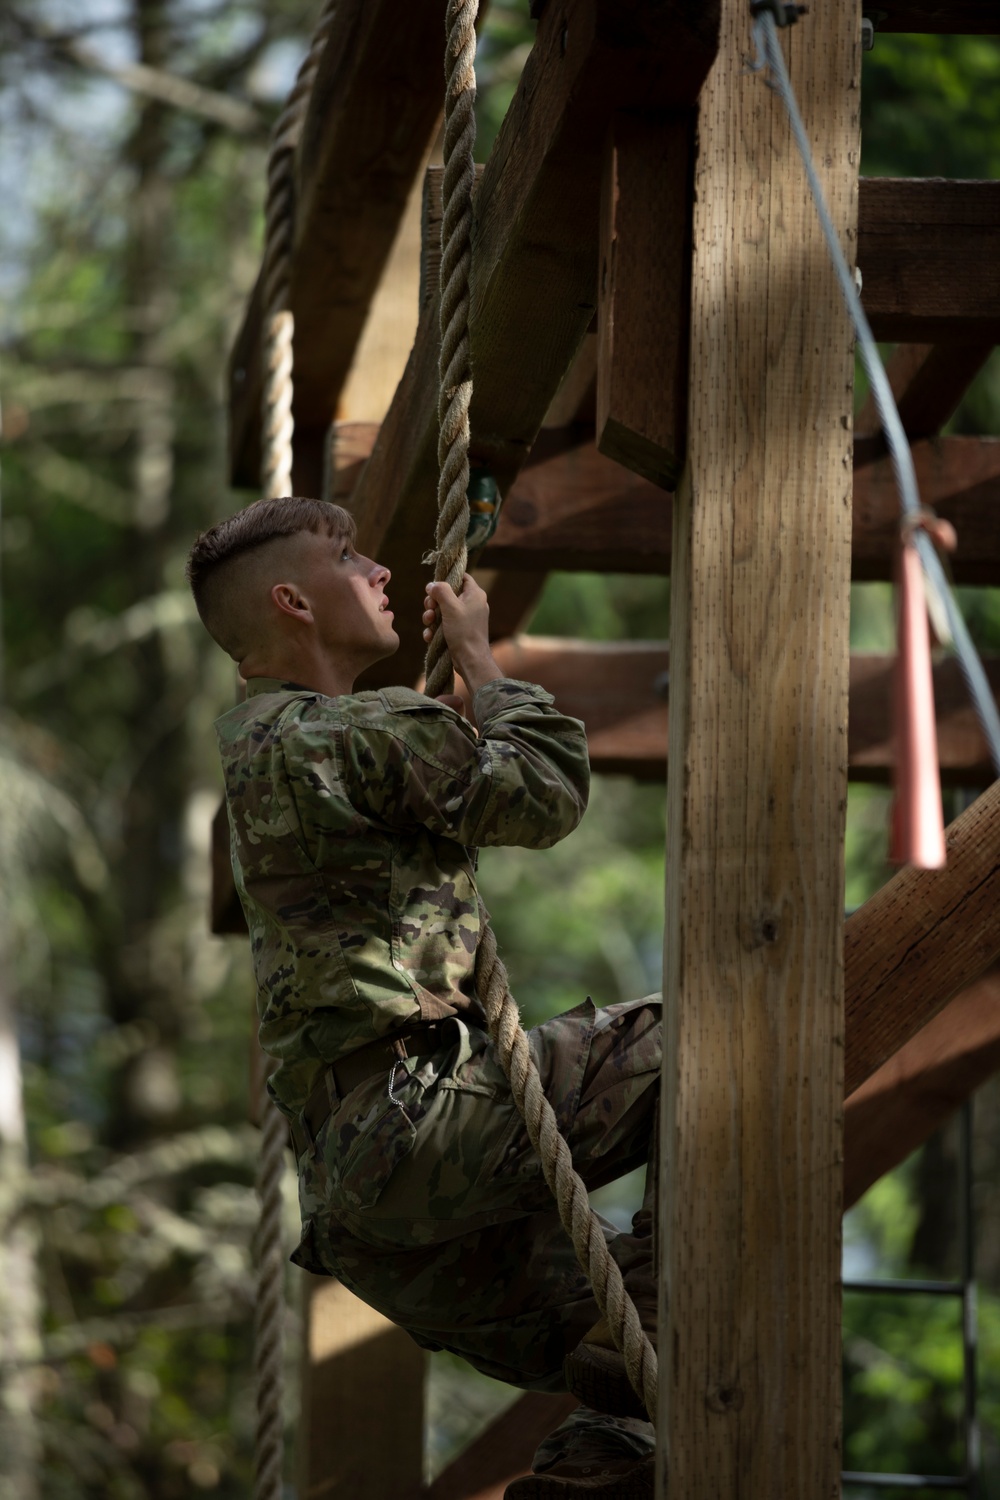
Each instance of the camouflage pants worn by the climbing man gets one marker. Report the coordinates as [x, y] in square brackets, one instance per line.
[425, 1198]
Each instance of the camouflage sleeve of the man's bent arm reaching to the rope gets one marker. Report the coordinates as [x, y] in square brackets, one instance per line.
[524, 781]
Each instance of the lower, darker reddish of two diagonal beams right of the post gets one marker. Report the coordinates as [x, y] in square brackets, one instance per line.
[920, 1088]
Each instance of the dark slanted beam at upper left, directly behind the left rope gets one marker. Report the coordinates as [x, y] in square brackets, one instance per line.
[374, 112]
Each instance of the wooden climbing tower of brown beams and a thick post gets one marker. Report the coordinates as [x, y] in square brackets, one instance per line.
[665, 385]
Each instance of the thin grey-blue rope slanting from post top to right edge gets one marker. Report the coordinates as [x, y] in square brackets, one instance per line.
[771, 58]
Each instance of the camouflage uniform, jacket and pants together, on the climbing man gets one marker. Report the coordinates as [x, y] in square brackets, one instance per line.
[353, 823]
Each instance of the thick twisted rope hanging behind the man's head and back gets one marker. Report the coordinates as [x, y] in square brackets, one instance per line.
[277, 479]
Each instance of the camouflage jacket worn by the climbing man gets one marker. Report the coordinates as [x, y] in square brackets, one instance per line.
[353, 823]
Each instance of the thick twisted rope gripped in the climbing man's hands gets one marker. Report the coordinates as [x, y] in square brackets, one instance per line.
[451, 565]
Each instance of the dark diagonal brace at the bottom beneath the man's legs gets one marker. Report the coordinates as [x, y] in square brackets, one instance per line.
[503, 1453]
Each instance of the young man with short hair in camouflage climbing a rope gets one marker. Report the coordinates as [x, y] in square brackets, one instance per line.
[355, 823]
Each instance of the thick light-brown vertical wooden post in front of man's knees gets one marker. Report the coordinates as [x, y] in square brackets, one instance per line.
[759, 658]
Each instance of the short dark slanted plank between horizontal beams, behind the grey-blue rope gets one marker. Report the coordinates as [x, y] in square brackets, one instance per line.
[929, 382]
